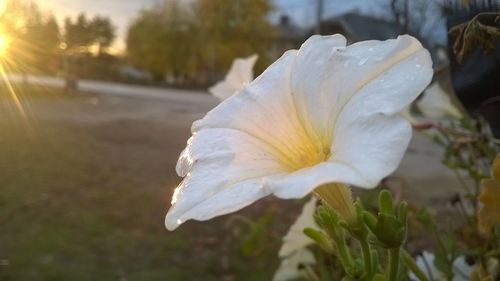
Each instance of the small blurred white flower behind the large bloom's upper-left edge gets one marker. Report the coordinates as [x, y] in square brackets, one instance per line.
[239, 75]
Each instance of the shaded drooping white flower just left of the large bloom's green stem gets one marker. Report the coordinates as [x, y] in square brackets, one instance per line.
[295, 240]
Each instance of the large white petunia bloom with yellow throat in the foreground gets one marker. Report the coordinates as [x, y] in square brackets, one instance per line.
[323, 114]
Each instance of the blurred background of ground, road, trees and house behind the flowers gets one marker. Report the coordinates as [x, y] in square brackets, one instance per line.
[97, 98]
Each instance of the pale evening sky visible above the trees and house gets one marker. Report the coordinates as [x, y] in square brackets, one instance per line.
[122, 12]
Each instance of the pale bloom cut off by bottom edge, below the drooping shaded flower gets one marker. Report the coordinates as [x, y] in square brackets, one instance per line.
[291, 268]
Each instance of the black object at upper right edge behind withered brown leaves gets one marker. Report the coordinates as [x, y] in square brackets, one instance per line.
[474, 49]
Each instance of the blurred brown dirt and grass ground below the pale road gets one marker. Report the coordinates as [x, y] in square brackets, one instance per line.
[87, 180]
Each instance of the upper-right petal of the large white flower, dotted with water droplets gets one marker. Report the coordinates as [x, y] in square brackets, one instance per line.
[379, 76]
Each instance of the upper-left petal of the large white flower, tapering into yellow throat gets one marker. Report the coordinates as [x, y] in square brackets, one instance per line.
[264, 109]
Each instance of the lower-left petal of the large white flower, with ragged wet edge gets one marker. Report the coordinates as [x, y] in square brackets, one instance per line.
[223, 170]
